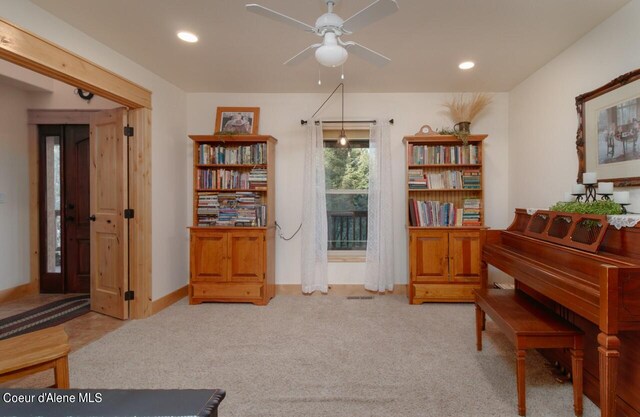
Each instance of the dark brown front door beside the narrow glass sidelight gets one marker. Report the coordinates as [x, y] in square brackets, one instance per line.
[76, 209]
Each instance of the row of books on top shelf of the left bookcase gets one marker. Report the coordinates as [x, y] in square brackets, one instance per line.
[222, 154]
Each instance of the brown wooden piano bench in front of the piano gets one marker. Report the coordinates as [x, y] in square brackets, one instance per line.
[530, 325]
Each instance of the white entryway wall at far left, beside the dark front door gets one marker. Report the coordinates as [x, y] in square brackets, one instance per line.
[14, 184]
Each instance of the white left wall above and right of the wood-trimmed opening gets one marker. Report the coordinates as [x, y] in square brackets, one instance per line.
[169, 212]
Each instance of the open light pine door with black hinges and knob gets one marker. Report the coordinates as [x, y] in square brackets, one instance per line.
[109, 261]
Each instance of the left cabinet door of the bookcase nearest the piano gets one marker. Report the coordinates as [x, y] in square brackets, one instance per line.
[429, 255]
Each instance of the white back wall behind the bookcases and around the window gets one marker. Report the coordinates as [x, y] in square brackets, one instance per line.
[280, 116]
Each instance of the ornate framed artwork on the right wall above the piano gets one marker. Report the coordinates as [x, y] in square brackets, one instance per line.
[608, 138]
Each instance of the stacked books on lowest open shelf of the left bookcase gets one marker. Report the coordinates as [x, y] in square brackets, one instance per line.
[242, 208]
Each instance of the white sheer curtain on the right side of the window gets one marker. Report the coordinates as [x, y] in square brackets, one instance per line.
[379, 274]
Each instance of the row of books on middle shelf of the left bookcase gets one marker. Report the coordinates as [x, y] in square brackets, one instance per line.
[225, 179]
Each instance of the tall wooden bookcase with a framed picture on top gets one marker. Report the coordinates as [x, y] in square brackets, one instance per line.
[232, 241]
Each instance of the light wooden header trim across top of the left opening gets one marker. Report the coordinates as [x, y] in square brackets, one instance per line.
[31, 51]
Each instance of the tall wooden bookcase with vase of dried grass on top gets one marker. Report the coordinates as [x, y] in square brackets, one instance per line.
[445, 217]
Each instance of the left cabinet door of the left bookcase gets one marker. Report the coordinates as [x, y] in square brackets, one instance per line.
[209, 256]
